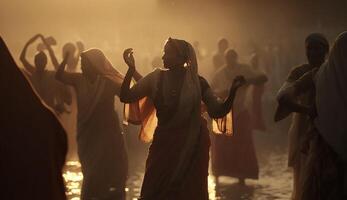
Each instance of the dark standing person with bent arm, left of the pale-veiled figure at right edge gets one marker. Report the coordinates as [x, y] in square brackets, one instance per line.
[317, 48]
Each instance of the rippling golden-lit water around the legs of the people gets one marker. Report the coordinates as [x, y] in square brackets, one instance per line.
[275, 183]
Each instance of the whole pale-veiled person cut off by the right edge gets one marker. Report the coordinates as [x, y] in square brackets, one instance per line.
[328, 156]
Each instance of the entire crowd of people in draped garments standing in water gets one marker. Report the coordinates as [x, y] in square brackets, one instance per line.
[184, 117]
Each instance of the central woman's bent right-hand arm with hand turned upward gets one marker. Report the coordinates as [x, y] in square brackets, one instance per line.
[216, 107]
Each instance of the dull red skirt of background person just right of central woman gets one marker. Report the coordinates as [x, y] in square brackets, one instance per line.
[235, 156]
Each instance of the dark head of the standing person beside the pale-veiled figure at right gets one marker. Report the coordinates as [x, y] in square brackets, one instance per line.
[317, 47]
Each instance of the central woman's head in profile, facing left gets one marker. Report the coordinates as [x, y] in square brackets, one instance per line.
[175, 53]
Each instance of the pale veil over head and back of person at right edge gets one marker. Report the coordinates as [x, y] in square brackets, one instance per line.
[331, 97]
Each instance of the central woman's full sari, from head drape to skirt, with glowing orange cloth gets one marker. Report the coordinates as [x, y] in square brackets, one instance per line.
[177, 163]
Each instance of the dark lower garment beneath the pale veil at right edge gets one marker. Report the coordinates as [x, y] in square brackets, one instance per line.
[323, 172]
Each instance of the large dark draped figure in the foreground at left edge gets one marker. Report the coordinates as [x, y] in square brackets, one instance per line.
[32, 141]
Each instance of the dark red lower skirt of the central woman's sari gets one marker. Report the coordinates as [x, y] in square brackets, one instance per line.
[162, 161]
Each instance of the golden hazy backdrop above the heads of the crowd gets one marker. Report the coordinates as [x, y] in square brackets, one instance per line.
[113, 25]
